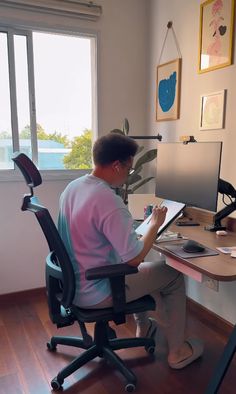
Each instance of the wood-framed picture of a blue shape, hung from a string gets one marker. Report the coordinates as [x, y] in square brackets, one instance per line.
[168, 90]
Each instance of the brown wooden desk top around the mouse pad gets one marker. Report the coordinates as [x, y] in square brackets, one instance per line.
[221, 267]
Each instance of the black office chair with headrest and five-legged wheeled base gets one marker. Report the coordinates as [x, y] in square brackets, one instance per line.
[60, 286]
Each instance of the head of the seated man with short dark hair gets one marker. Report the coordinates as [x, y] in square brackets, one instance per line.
[113, 157]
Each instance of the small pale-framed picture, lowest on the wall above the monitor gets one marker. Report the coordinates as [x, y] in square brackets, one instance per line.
[212, 110]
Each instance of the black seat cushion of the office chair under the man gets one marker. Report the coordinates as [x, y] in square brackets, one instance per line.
[107, 314]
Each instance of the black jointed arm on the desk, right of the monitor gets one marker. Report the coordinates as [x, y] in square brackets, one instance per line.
[227, 189]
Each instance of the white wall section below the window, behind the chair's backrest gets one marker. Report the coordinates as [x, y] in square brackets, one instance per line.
[22, 245]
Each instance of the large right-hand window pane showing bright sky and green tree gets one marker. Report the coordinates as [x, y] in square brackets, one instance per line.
[62, 68]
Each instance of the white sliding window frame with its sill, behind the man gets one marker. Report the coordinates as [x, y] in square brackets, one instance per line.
[13, 174]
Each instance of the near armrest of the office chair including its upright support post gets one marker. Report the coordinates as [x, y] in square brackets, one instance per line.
[116, 274]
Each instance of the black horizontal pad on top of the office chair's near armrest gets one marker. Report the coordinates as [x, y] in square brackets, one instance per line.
[110, 271]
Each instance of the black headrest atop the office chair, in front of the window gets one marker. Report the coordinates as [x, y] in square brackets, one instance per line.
[27, 167]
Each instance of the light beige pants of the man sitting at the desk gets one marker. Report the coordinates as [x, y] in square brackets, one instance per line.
[169, 285]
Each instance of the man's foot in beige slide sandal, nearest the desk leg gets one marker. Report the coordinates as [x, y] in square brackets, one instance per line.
[191, 350]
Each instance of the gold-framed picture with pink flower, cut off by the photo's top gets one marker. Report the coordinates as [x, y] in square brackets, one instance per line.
[216, 34]
